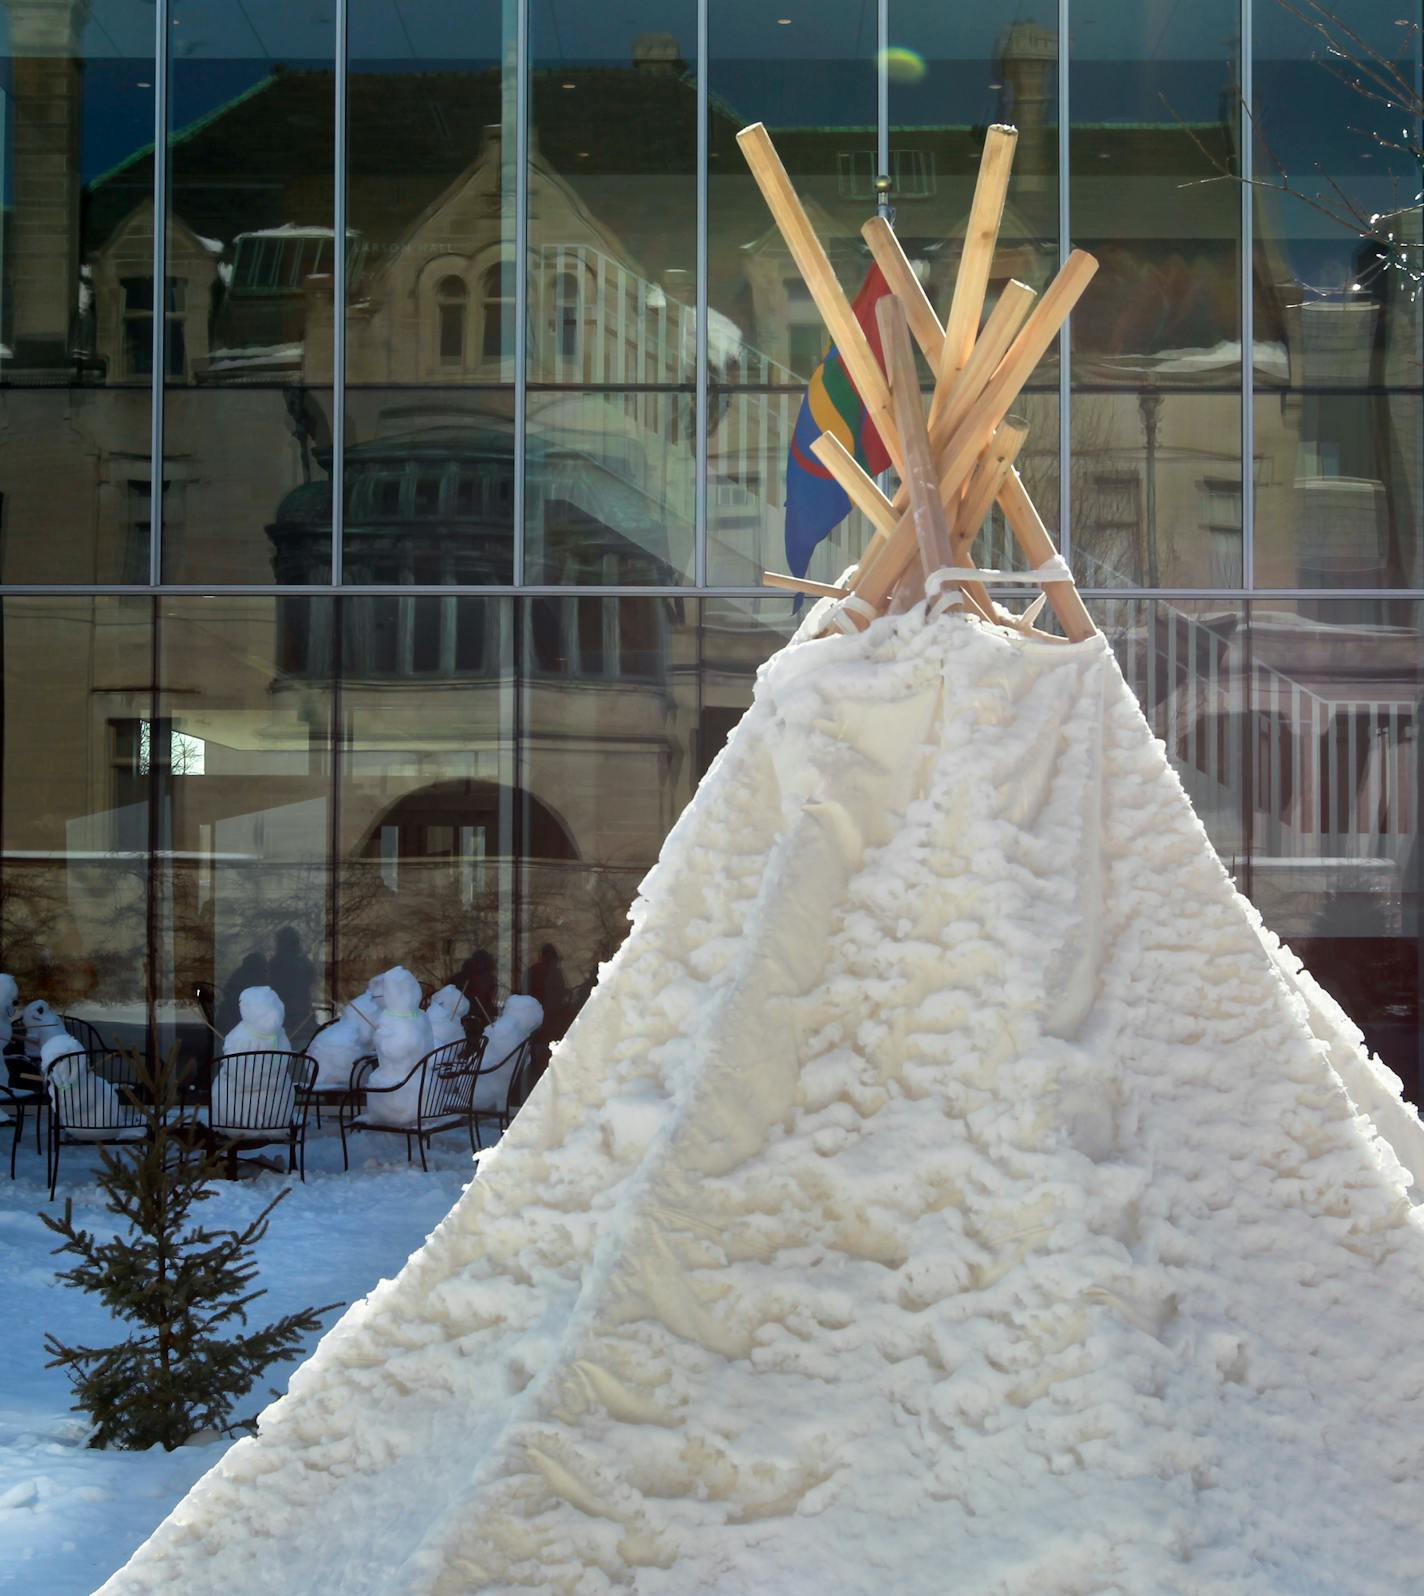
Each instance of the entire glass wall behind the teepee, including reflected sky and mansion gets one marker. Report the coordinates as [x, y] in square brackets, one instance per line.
[398, 593]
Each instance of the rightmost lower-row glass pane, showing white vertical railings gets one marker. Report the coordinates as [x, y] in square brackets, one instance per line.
[1335, 859]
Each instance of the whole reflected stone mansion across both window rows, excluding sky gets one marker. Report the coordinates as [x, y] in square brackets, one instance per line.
[569, 729]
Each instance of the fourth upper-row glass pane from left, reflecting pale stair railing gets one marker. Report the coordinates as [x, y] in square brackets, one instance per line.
[612, 290]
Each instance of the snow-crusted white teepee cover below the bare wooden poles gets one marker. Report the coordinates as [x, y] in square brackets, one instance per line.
[951, 1187]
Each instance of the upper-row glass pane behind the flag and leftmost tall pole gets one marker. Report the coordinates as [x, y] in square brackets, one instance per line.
[813, 84]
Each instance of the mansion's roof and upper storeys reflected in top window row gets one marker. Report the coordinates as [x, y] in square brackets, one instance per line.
[611, 472]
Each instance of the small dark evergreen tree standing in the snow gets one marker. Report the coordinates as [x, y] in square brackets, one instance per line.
[186, 1289]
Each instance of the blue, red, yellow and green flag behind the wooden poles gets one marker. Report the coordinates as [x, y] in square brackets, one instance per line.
[815, 502]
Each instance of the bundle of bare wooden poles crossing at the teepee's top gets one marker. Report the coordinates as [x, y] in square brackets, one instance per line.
[959, 460]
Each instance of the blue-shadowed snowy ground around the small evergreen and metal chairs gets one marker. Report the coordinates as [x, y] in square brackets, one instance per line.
[69, 1517]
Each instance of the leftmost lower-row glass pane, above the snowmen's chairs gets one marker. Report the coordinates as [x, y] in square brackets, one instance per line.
[74, 893]
